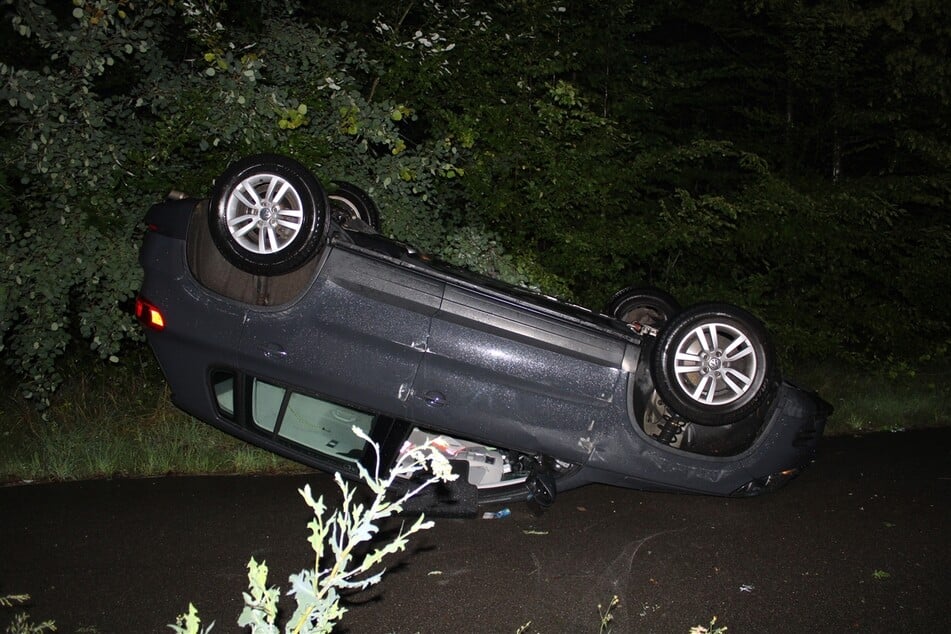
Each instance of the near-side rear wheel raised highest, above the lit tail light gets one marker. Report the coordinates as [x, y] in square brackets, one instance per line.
[267, 214]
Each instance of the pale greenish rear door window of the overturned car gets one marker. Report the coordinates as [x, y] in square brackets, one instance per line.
[323, 427]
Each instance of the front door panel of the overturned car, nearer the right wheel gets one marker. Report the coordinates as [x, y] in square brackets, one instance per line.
[505, 373]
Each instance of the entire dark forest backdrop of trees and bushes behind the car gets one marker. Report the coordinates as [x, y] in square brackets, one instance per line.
[790, 157]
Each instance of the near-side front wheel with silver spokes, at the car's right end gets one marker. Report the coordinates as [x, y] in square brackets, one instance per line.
[713, 364]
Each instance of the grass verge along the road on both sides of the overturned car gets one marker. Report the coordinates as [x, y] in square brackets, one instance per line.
[118, 420]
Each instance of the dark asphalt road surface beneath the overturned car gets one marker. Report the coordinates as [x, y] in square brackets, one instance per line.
[859, 543]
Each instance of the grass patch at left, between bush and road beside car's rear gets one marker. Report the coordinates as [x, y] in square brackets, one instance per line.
[117, 421]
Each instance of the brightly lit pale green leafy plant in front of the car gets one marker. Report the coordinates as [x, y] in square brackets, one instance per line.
[335, 540]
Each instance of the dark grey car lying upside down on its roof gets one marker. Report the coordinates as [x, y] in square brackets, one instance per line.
[280, 315]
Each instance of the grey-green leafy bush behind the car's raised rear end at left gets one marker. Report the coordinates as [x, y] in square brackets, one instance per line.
[107, 109]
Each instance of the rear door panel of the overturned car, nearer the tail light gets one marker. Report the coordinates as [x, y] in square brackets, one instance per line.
[355, 337]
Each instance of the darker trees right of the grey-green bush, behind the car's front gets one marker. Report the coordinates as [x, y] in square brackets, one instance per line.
[790, 158]
